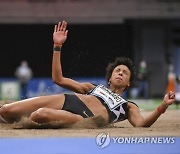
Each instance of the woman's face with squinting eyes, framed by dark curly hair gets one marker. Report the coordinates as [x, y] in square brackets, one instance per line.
[120, 76]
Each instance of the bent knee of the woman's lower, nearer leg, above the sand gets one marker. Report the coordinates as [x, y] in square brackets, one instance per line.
[40, 115]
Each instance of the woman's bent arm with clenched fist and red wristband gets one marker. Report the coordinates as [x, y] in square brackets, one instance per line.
[137, 120]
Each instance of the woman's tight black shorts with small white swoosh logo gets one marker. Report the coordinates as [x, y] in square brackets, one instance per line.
[74, 105]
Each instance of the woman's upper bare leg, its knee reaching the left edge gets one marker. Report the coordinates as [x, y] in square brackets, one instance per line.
[13, 111]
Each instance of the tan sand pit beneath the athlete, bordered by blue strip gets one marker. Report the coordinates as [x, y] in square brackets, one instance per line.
[167, 125]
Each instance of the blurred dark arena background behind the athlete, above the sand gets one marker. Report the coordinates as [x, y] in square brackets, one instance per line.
[147, 31]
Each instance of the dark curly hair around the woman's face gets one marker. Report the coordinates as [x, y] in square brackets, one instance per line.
[120, 61]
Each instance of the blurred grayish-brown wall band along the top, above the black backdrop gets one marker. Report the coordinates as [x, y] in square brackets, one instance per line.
[86, 11]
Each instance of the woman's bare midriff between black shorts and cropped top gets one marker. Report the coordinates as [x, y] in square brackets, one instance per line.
[94, 105]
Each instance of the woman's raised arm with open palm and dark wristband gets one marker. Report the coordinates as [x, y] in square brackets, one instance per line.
[59, 37]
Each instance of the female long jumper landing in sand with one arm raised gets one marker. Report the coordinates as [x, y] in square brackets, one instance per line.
[89, 100]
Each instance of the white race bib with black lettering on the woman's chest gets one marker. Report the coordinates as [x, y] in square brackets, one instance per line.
[112, 99]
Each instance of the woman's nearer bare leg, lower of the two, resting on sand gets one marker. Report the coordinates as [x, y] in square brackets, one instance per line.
[46, 114]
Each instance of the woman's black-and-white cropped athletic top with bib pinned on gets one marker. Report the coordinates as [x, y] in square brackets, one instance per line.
[116, 106]
